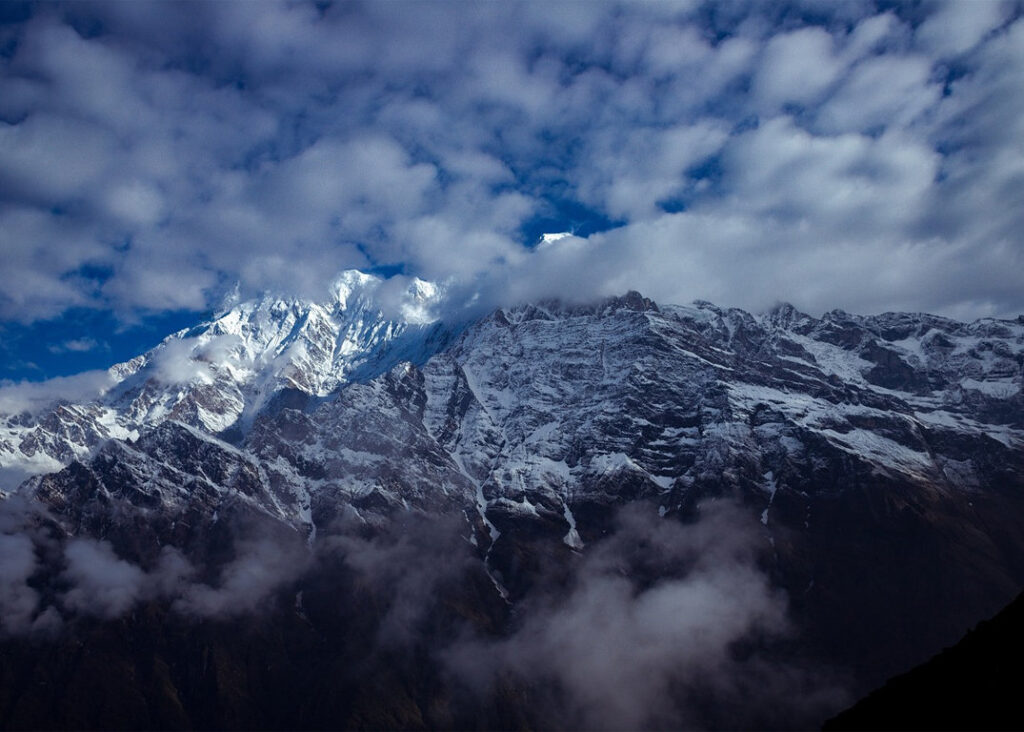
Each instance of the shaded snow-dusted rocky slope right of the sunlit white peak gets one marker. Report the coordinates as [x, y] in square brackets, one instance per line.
[553, 417]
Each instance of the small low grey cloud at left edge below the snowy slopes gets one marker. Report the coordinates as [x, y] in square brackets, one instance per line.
[46, 581]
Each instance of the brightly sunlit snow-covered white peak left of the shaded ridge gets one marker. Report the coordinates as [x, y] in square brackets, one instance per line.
[221, 374]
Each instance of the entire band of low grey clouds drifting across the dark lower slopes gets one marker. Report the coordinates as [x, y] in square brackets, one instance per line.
[661, 624]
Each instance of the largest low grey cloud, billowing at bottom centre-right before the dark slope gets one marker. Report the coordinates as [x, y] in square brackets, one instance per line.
[645, 634]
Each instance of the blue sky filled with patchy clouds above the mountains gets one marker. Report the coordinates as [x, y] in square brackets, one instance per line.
[864, 156]
